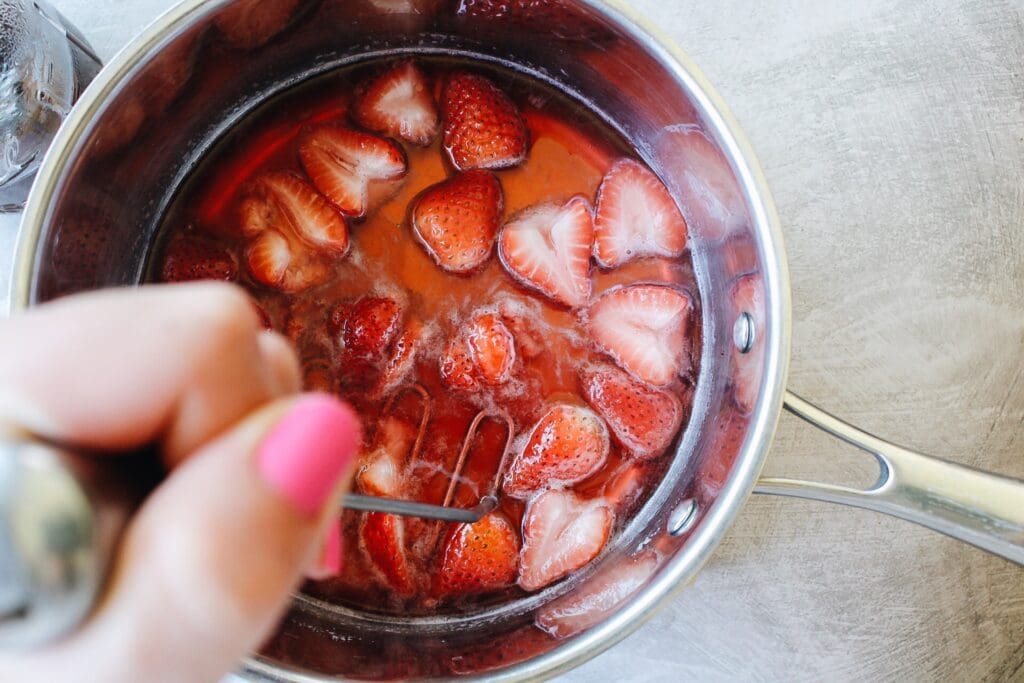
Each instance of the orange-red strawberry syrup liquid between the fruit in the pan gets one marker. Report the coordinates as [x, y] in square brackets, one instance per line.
[571, 150]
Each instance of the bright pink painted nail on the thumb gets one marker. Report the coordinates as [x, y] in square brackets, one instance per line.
[309, 451]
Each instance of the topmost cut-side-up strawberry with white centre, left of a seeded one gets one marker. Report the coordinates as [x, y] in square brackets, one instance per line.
[399, 103]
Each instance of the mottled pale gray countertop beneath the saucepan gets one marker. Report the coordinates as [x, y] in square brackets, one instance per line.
[893, 138]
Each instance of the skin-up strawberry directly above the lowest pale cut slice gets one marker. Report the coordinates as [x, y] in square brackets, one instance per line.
[568, 445]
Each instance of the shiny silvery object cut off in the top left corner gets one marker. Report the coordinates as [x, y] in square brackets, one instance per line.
[45, 66]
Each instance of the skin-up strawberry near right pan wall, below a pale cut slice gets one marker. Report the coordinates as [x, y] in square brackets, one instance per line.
[644, 419]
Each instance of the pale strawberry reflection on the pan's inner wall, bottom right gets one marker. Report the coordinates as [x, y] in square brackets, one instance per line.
[599, 599]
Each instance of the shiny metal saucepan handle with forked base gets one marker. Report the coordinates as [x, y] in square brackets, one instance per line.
[979, 508]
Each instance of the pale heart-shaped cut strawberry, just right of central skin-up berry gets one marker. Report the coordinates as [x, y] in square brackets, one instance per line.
[547, 248]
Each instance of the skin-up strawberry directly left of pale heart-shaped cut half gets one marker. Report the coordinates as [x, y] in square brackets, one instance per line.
[457, 221]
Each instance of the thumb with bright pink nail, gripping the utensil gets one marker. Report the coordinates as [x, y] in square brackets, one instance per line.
[211, 560]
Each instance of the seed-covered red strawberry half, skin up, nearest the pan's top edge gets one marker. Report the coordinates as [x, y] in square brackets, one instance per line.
[483, 127]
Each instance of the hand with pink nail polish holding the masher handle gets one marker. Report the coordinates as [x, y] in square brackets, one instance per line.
[206, 567]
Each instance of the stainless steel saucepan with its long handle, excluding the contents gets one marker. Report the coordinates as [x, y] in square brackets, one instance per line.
[154, 112]
